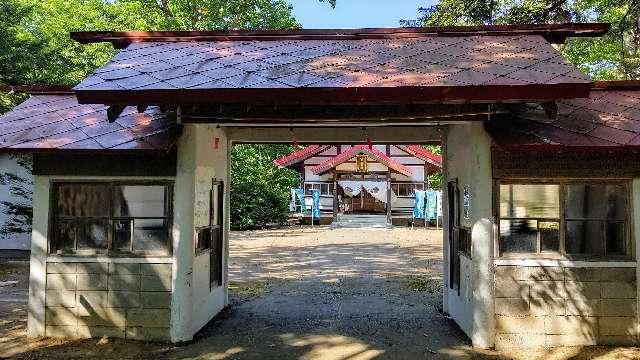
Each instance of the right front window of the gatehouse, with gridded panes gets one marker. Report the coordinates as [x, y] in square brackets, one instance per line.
[573, 218]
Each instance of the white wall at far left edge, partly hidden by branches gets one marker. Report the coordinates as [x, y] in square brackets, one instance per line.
[9, 164]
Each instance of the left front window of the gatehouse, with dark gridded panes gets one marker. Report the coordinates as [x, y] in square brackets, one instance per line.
[111, 218]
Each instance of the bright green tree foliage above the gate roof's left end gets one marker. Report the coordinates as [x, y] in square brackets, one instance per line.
[35, 47]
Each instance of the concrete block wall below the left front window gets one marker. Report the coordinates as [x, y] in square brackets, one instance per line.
[124, 300]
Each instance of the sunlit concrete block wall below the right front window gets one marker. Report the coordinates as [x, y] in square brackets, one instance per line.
[539, 306]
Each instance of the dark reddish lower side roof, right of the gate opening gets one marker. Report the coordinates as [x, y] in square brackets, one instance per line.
[610, 117]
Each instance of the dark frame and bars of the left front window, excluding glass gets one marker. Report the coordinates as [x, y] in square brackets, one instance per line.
[54, 219]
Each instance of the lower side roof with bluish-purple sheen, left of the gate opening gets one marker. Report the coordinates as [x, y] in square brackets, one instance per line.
[57, 121]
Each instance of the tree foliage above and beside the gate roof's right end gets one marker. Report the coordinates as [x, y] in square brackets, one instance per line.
[613, 56]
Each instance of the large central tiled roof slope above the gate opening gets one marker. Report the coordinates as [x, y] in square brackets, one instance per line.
[525, 59]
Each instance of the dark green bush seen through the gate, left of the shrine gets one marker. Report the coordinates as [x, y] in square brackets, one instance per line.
[260, 191]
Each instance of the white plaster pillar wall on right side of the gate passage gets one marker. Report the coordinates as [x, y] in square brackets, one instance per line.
[468, 158]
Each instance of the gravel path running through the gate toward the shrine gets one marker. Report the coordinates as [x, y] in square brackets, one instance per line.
[334, 294]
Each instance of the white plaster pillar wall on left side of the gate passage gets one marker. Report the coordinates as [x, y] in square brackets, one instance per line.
[193, 304]
